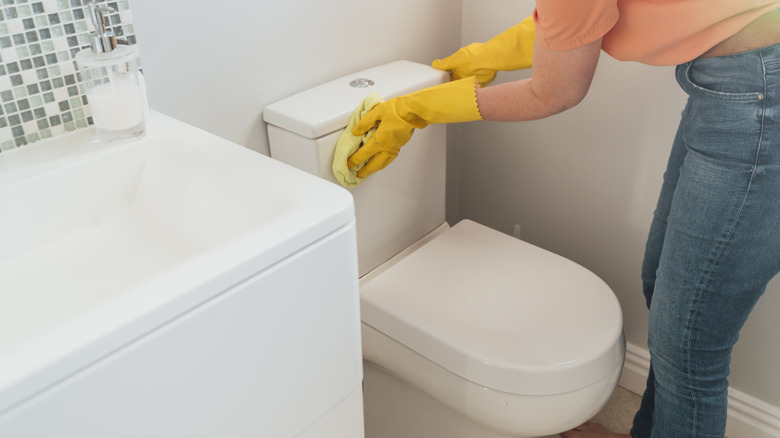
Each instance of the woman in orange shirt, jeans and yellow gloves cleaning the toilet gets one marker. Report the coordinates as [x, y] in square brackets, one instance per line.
[715, 238]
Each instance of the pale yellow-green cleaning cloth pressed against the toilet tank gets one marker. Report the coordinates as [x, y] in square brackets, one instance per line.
[348, 144]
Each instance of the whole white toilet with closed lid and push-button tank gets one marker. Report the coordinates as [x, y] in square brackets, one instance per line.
[467, 332]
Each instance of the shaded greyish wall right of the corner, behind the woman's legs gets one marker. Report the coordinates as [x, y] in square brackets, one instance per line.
[584, 184]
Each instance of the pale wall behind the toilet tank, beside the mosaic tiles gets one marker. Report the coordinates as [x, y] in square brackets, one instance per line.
[217, 64]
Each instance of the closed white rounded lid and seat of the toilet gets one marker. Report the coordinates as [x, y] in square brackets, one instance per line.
[500, 312]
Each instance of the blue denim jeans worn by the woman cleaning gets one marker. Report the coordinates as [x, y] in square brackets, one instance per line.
[714, 242]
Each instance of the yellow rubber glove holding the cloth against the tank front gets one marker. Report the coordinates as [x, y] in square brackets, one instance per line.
[398, 117]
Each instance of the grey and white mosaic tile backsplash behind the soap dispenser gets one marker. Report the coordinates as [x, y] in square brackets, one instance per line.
[40, 92]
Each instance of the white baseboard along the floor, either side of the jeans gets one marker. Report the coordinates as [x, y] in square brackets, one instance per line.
[748, 416]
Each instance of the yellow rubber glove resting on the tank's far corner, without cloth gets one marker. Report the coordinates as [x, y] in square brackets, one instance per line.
[511, 50]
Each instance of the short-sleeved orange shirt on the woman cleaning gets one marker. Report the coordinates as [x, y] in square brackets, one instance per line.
[656, 32]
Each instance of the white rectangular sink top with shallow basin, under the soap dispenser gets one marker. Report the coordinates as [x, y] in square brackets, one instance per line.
[102, 244]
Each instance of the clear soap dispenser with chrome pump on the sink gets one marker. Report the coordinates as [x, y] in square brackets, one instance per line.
[114, 87]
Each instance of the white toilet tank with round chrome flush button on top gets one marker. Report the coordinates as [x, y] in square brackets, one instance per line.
[394, 207]
